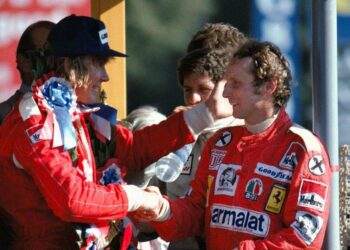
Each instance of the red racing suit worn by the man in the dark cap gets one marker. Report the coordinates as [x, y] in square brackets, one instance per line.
[45, 188]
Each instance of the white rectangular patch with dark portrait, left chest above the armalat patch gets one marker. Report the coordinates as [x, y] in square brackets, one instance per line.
[227, 179]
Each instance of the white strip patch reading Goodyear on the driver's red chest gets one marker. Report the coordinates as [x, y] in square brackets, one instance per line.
[273, 172]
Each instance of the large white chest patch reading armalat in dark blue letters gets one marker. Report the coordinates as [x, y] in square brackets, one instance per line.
[240, 220]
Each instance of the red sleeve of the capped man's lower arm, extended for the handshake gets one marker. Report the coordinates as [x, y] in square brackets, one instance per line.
[68, 194]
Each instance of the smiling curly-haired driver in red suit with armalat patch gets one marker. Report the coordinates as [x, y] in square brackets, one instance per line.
[264, 185]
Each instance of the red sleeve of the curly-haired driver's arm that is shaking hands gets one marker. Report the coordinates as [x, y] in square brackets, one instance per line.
[187, 214]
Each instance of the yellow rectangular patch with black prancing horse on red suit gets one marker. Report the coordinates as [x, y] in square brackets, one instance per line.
[276, 199]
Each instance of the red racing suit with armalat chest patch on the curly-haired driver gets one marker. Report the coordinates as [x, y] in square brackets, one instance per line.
[265, 191]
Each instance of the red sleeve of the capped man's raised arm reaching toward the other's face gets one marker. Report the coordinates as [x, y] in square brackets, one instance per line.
[140, 148]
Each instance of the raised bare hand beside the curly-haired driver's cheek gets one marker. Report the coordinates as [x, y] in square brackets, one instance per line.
[218, 105]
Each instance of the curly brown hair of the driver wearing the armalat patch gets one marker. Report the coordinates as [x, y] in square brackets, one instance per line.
[269, 64]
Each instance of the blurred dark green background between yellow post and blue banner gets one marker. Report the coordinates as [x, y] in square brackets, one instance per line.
[157, 35]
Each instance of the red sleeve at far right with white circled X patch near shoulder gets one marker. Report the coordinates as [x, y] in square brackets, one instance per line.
[306, 206]
